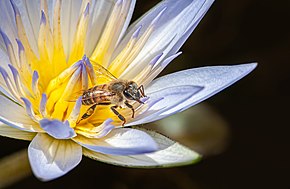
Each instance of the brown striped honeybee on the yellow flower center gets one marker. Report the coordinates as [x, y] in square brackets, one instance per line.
[116, 92]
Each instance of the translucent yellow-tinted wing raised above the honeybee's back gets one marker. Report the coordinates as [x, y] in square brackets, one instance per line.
[102, 74]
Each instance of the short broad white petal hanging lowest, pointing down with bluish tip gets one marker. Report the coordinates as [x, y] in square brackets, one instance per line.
[50, 158]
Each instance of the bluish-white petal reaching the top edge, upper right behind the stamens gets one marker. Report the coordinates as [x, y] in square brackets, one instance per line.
[175, 25]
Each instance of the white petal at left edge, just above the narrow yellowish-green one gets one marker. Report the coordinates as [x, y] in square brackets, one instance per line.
[15, 116]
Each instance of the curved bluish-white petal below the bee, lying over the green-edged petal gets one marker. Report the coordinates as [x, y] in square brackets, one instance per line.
[121, 141]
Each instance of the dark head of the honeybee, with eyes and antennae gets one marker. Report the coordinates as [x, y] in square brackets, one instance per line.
[132, 91]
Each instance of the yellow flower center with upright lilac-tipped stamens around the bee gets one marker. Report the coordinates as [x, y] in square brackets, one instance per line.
[51, 81]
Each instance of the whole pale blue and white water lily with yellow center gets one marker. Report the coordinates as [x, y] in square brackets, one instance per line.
[49, 51]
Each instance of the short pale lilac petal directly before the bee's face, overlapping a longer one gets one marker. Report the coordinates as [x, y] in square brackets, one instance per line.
[163, 100]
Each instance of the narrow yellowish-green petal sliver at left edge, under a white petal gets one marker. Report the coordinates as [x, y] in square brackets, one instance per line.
[11, 132]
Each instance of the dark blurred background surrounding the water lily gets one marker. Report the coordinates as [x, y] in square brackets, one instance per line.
[243, 132]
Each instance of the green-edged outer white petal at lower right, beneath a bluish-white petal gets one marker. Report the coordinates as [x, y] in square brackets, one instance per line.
[170, 154]
